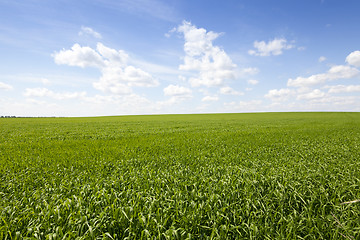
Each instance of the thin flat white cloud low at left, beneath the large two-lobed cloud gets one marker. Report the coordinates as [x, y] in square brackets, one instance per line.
[44, 92]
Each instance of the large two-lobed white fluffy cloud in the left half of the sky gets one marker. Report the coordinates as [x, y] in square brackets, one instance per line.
[117, 76]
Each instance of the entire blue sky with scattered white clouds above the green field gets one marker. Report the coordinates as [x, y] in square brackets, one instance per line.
[103, 57]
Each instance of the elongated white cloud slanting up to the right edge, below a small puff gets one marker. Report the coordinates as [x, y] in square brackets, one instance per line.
[334, 73]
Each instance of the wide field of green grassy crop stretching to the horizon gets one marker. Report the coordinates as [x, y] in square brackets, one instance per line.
[216, 176]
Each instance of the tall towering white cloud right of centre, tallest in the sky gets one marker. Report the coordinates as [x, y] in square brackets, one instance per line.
[211, 63]
